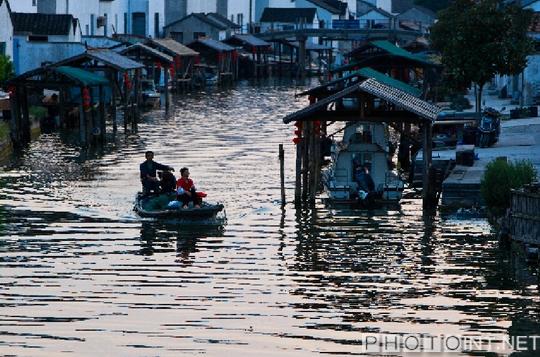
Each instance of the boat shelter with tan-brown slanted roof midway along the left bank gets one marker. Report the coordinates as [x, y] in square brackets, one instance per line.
[183, 56]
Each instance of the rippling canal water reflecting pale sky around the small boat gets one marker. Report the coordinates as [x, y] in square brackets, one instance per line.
[81, 274]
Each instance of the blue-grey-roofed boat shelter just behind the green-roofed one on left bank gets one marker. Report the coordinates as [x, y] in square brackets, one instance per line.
[124, 74]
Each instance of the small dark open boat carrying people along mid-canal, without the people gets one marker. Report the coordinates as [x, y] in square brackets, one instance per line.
[158, 206]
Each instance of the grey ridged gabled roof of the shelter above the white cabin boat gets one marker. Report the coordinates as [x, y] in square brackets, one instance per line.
[390, 94]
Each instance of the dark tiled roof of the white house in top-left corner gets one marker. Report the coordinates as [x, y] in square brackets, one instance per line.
[42, 24]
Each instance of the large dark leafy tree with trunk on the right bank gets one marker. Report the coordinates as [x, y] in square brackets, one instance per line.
[479, 39]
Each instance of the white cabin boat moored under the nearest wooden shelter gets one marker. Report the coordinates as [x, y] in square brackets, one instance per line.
[367, 144]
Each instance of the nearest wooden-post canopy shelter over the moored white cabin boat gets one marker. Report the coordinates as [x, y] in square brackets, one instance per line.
[377, 99]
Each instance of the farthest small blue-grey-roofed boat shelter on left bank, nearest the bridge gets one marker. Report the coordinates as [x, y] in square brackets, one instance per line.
[255, 51]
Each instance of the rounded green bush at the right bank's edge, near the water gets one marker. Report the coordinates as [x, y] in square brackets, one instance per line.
[501, 177]
